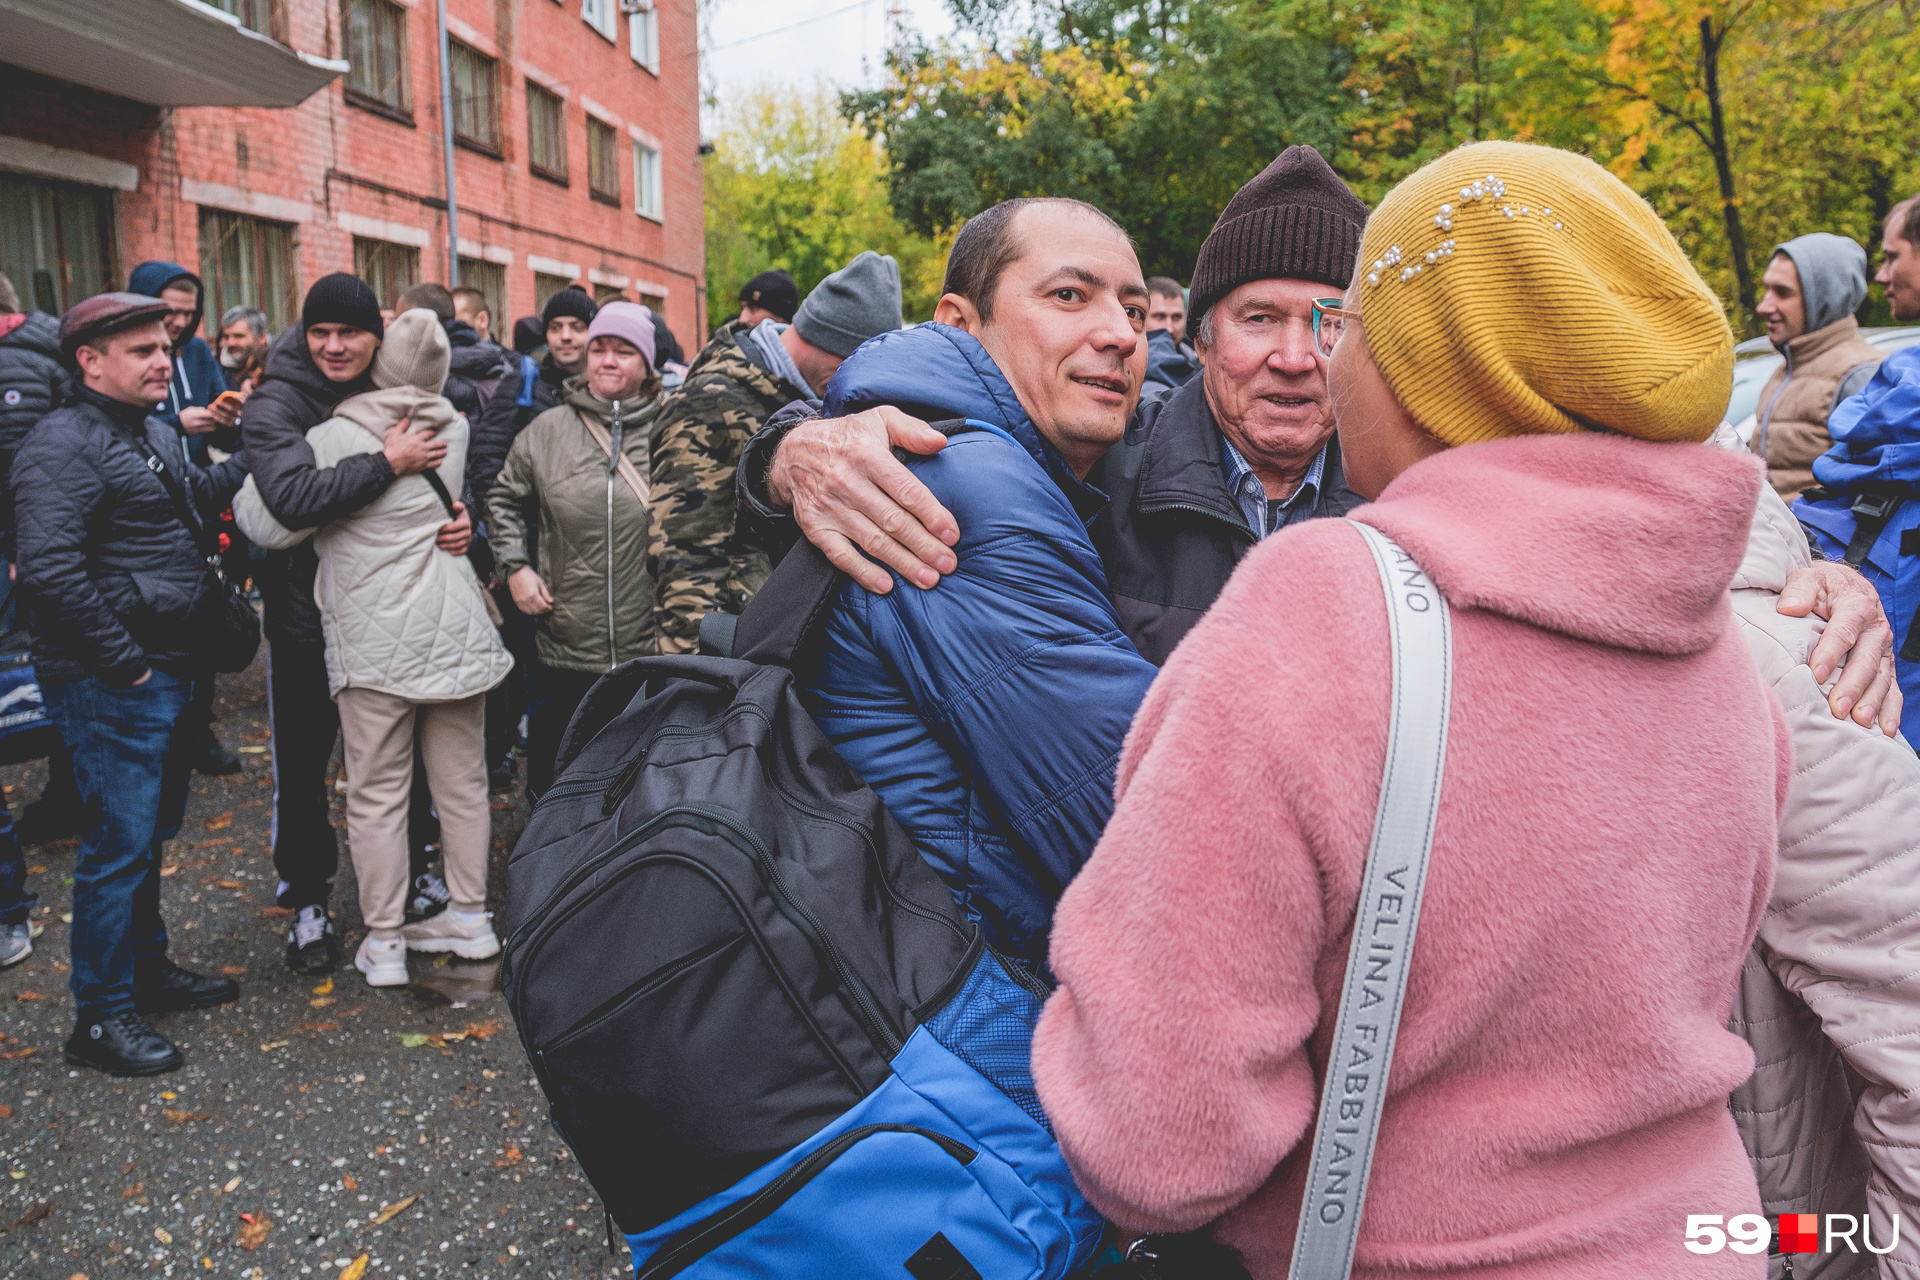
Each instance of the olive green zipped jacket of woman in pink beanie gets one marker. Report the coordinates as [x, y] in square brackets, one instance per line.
[602, 605]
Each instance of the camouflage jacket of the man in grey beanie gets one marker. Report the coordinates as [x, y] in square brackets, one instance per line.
[702, 559]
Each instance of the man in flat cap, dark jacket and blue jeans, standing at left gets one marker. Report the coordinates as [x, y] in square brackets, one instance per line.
[120, 600]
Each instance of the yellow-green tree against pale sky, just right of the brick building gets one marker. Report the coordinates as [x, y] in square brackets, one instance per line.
[792, 185]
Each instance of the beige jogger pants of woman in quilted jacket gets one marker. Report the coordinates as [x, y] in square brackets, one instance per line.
[377, 730]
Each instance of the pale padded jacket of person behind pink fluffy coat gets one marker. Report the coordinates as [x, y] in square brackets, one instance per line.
[1831, 997]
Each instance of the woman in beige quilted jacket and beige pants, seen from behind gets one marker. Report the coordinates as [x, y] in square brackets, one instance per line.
[410, 650]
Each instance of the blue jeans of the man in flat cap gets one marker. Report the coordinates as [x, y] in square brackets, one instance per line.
[135, 792]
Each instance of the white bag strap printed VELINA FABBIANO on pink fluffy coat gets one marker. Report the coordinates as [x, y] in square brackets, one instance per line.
[1383, 928]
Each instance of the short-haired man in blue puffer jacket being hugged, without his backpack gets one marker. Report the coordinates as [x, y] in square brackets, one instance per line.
[990, 715]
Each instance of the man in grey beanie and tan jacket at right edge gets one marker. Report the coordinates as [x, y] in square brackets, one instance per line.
[1813, 289]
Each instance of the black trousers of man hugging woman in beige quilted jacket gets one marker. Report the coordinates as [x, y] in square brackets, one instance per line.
[306, 853]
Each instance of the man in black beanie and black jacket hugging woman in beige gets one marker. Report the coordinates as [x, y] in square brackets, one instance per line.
[310, 369]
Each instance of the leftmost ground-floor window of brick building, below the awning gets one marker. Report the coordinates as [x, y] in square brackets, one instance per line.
[55, 243]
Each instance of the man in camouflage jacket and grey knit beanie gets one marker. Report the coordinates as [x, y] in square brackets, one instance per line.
[732, 389]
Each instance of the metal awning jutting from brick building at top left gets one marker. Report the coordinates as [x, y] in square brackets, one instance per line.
[164, 53]
